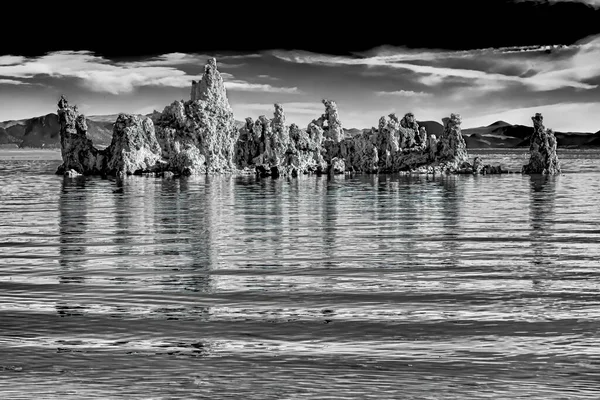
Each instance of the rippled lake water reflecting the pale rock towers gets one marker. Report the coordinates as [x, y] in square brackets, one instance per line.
[362, 287]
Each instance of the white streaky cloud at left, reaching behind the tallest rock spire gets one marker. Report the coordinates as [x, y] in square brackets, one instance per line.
[102, 75]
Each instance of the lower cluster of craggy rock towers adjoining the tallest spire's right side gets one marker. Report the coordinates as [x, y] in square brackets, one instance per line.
[397, 145]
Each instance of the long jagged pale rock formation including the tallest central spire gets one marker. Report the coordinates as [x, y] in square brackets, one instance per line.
[200, 136]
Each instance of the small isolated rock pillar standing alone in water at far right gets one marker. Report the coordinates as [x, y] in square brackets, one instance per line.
[542, 148]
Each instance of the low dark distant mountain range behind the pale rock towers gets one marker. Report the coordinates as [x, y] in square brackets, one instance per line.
[43, 132]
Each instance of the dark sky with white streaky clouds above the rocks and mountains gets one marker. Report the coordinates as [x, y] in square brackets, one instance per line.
[488, 60]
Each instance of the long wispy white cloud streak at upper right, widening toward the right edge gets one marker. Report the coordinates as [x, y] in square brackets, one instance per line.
[538, 68]
